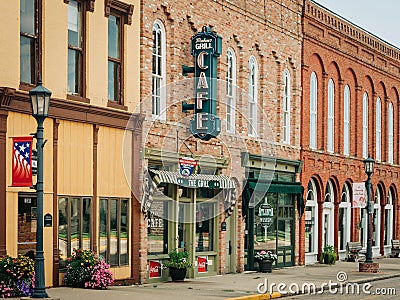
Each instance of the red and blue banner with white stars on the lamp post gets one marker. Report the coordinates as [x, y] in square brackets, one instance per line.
[22, 161]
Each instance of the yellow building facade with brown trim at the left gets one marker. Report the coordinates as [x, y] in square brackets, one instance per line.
[87, 53]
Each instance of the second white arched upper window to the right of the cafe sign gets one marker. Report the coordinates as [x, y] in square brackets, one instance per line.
[252, 96]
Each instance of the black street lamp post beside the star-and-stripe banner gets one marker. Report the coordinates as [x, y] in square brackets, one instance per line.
[40, 102]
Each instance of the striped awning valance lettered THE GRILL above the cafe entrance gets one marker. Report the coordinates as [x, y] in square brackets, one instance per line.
[193, 181]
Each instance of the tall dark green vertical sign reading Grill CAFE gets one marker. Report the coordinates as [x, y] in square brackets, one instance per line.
[206, 47]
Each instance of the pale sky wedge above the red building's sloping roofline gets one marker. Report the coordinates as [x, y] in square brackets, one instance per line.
[382, 18]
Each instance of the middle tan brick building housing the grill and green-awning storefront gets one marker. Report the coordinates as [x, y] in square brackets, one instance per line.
[258, 104]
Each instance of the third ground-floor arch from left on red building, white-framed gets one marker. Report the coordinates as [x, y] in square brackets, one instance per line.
[344, 220]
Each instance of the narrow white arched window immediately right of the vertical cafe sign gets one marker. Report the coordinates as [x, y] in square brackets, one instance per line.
[230, 91]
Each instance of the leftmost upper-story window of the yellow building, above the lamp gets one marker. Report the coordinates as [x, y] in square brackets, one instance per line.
[29, 41]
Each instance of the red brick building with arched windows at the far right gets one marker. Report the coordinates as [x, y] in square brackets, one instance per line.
[350, 109]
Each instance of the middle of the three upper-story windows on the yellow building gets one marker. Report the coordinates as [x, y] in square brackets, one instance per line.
[75, 47]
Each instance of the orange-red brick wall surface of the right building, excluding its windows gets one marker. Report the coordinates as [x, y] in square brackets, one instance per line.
[335, 49]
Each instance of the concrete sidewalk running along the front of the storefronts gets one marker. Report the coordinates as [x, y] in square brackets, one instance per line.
[236, 285]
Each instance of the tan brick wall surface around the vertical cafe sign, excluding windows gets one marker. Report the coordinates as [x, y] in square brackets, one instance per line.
[267, 30]
